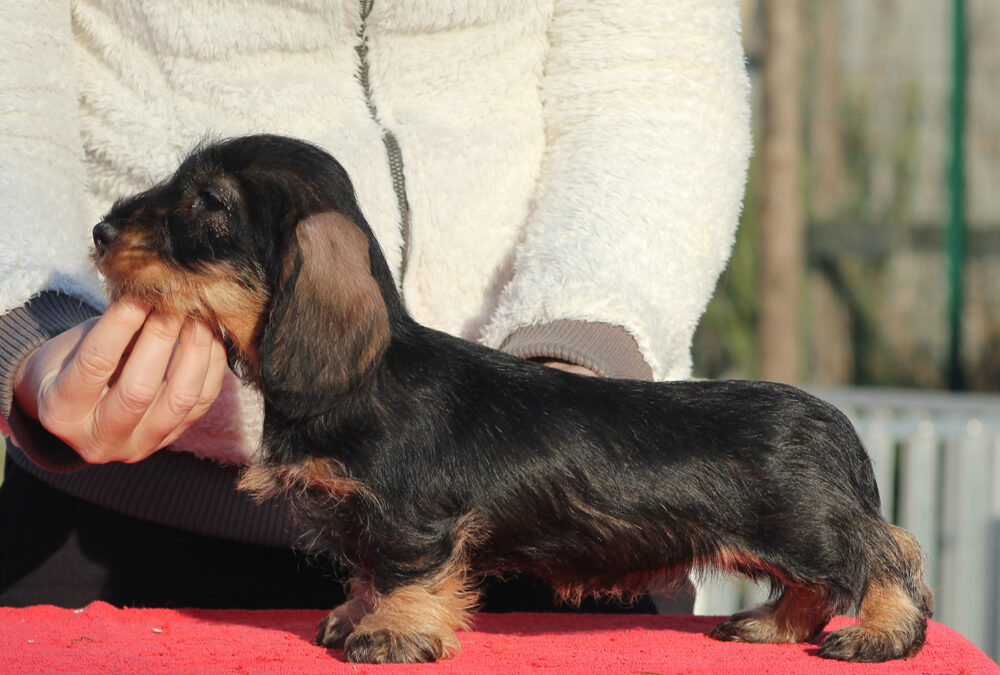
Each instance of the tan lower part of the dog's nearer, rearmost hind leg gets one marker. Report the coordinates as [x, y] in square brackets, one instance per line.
[894, 610]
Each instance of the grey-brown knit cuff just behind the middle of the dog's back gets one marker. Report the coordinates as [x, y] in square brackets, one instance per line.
[610, 351]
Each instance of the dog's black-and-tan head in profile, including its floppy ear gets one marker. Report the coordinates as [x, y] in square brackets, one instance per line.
[262, 238]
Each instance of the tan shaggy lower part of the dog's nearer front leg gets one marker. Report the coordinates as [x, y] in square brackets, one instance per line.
[412, 623]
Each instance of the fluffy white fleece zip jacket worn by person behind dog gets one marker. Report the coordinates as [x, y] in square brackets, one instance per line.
[560, 159]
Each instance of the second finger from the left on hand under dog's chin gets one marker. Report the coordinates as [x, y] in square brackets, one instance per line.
[125, 404]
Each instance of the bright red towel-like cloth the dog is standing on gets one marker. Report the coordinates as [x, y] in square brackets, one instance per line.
[102, 638]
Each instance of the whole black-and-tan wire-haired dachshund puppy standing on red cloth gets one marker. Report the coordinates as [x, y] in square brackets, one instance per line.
[425, 462]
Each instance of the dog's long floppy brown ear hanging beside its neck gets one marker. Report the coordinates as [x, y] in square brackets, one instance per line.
[329, 323]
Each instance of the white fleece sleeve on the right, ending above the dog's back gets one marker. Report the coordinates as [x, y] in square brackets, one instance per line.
[648, 138]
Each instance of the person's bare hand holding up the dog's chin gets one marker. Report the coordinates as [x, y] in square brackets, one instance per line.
[123, 385]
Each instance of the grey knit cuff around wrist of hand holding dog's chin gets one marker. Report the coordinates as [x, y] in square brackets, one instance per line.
[21, 332]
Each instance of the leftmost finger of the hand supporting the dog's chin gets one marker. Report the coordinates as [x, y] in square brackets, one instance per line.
[77, 387]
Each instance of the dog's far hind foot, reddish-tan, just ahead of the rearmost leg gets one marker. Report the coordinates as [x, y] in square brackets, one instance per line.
[797, 615]
